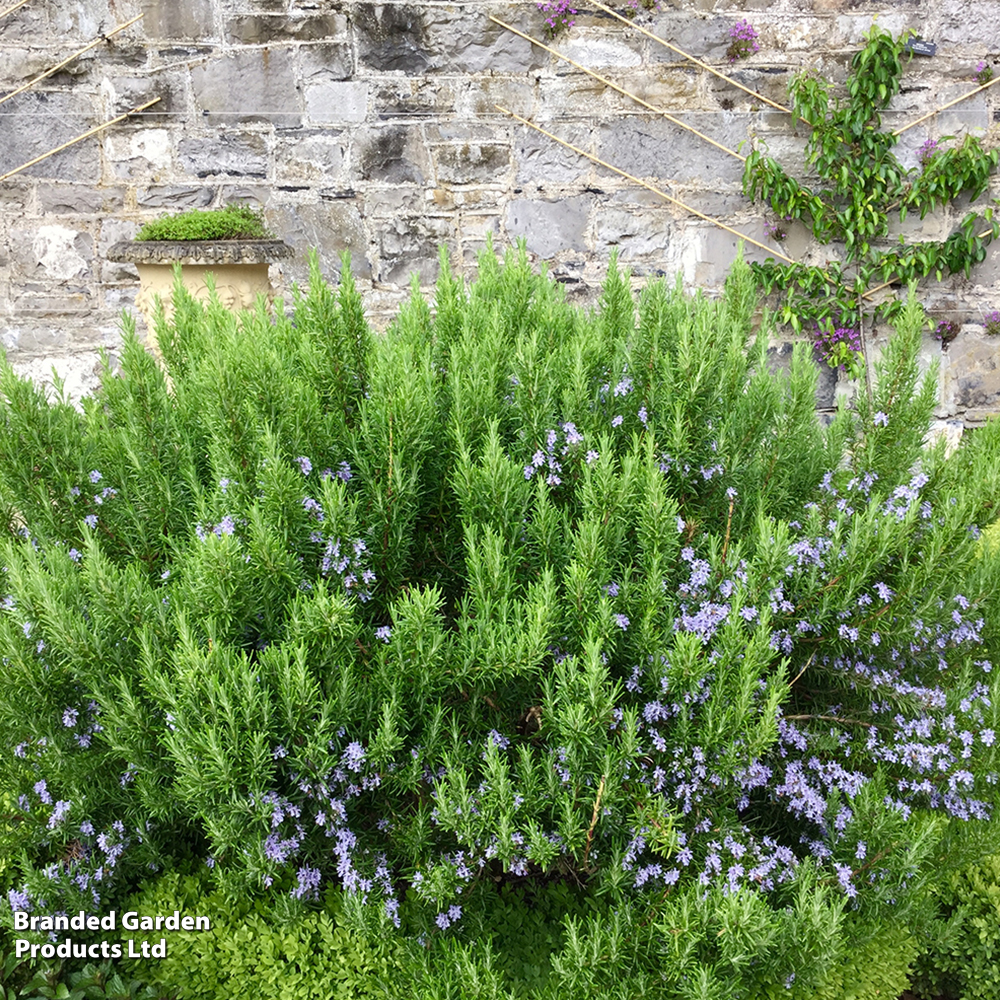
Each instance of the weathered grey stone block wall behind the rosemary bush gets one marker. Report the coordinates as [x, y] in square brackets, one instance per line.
[372, 127]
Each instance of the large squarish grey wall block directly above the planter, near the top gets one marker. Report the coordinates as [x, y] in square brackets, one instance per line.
[248, 85]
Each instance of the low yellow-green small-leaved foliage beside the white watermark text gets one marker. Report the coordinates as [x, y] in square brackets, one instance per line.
[254, 951]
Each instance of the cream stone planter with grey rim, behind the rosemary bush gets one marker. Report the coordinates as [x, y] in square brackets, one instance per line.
[240, 268]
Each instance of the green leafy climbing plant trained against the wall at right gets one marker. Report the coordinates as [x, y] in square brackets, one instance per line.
[862, 187]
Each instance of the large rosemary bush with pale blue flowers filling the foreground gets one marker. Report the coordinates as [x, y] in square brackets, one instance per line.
[513, 594]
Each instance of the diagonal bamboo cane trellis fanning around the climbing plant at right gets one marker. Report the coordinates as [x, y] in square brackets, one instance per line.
[659, 111]
